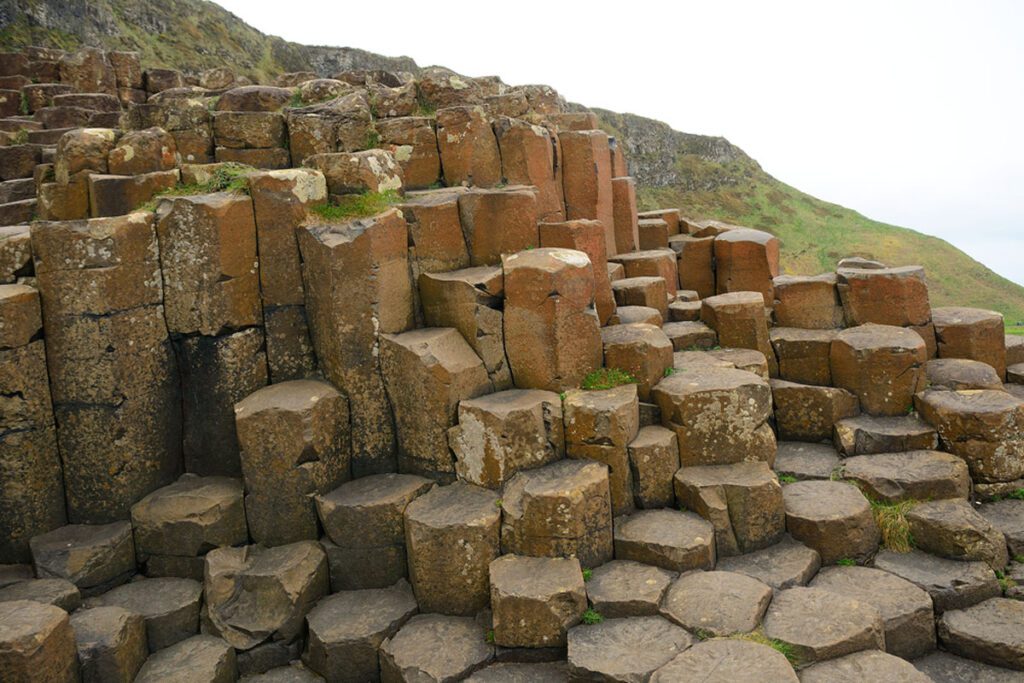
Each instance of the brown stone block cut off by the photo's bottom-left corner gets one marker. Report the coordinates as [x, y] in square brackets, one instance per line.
[36, 644]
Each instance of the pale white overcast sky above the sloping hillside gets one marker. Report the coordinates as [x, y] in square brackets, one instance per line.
[912, 113]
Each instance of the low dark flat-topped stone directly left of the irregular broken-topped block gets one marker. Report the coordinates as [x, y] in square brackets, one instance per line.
[170, 608]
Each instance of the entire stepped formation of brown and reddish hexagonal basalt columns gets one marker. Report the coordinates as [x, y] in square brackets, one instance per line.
[383, 377]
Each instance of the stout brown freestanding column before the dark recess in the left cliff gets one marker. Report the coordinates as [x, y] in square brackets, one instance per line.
[295, 444]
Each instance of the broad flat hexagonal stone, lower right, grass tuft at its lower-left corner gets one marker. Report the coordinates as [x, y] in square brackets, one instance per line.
[821, 625]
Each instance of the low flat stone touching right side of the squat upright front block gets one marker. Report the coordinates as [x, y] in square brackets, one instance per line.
[623, 588]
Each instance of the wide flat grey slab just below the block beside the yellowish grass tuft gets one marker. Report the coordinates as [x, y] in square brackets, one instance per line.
[953, 584]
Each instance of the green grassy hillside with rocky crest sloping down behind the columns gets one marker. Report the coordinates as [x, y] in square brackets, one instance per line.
[708, 181]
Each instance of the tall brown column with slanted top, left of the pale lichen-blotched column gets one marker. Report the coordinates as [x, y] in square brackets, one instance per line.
[426, 373]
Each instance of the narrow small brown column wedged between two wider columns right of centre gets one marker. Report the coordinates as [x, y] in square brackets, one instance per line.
[654, 462]
